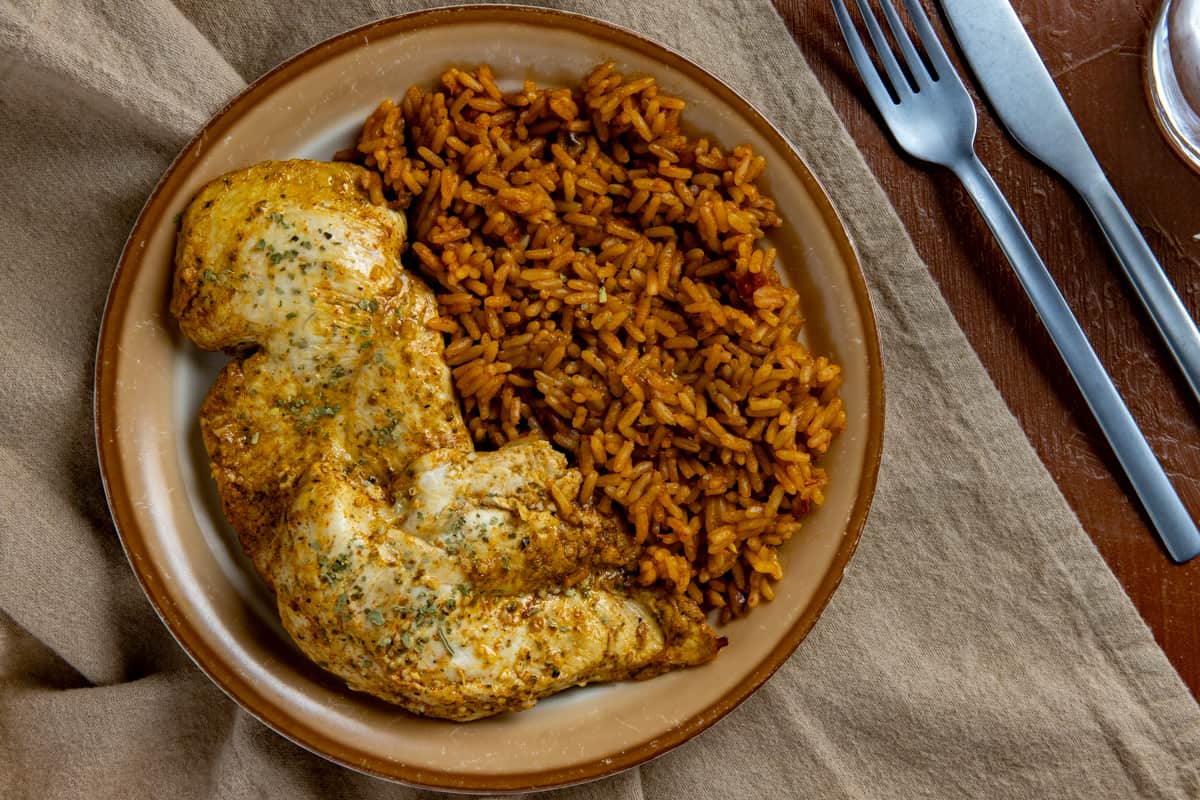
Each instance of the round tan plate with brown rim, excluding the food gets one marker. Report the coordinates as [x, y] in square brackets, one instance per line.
[151, 381]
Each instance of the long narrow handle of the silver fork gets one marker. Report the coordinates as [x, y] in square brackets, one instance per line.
[1163, 506]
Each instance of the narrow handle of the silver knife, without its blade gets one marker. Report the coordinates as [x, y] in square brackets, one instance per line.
[1154, 288]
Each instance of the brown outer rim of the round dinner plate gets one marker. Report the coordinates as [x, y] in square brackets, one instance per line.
[241, 690]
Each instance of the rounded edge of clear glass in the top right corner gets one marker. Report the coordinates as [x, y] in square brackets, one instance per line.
[1173, 76]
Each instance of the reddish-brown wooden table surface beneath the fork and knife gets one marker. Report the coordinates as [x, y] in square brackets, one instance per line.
[1095, 49]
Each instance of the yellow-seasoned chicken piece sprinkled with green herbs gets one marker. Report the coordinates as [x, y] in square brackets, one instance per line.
[453, 584]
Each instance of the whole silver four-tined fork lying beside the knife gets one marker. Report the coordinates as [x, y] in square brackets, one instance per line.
[933, 118]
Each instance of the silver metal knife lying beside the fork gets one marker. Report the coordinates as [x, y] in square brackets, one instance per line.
[1027, 100]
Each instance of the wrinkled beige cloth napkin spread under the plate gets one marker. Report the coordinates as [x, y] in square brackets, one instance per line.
[977, 648]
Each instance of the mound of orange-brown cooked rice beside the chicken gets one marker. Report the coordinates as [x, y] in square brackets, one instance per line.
[603, 282]
